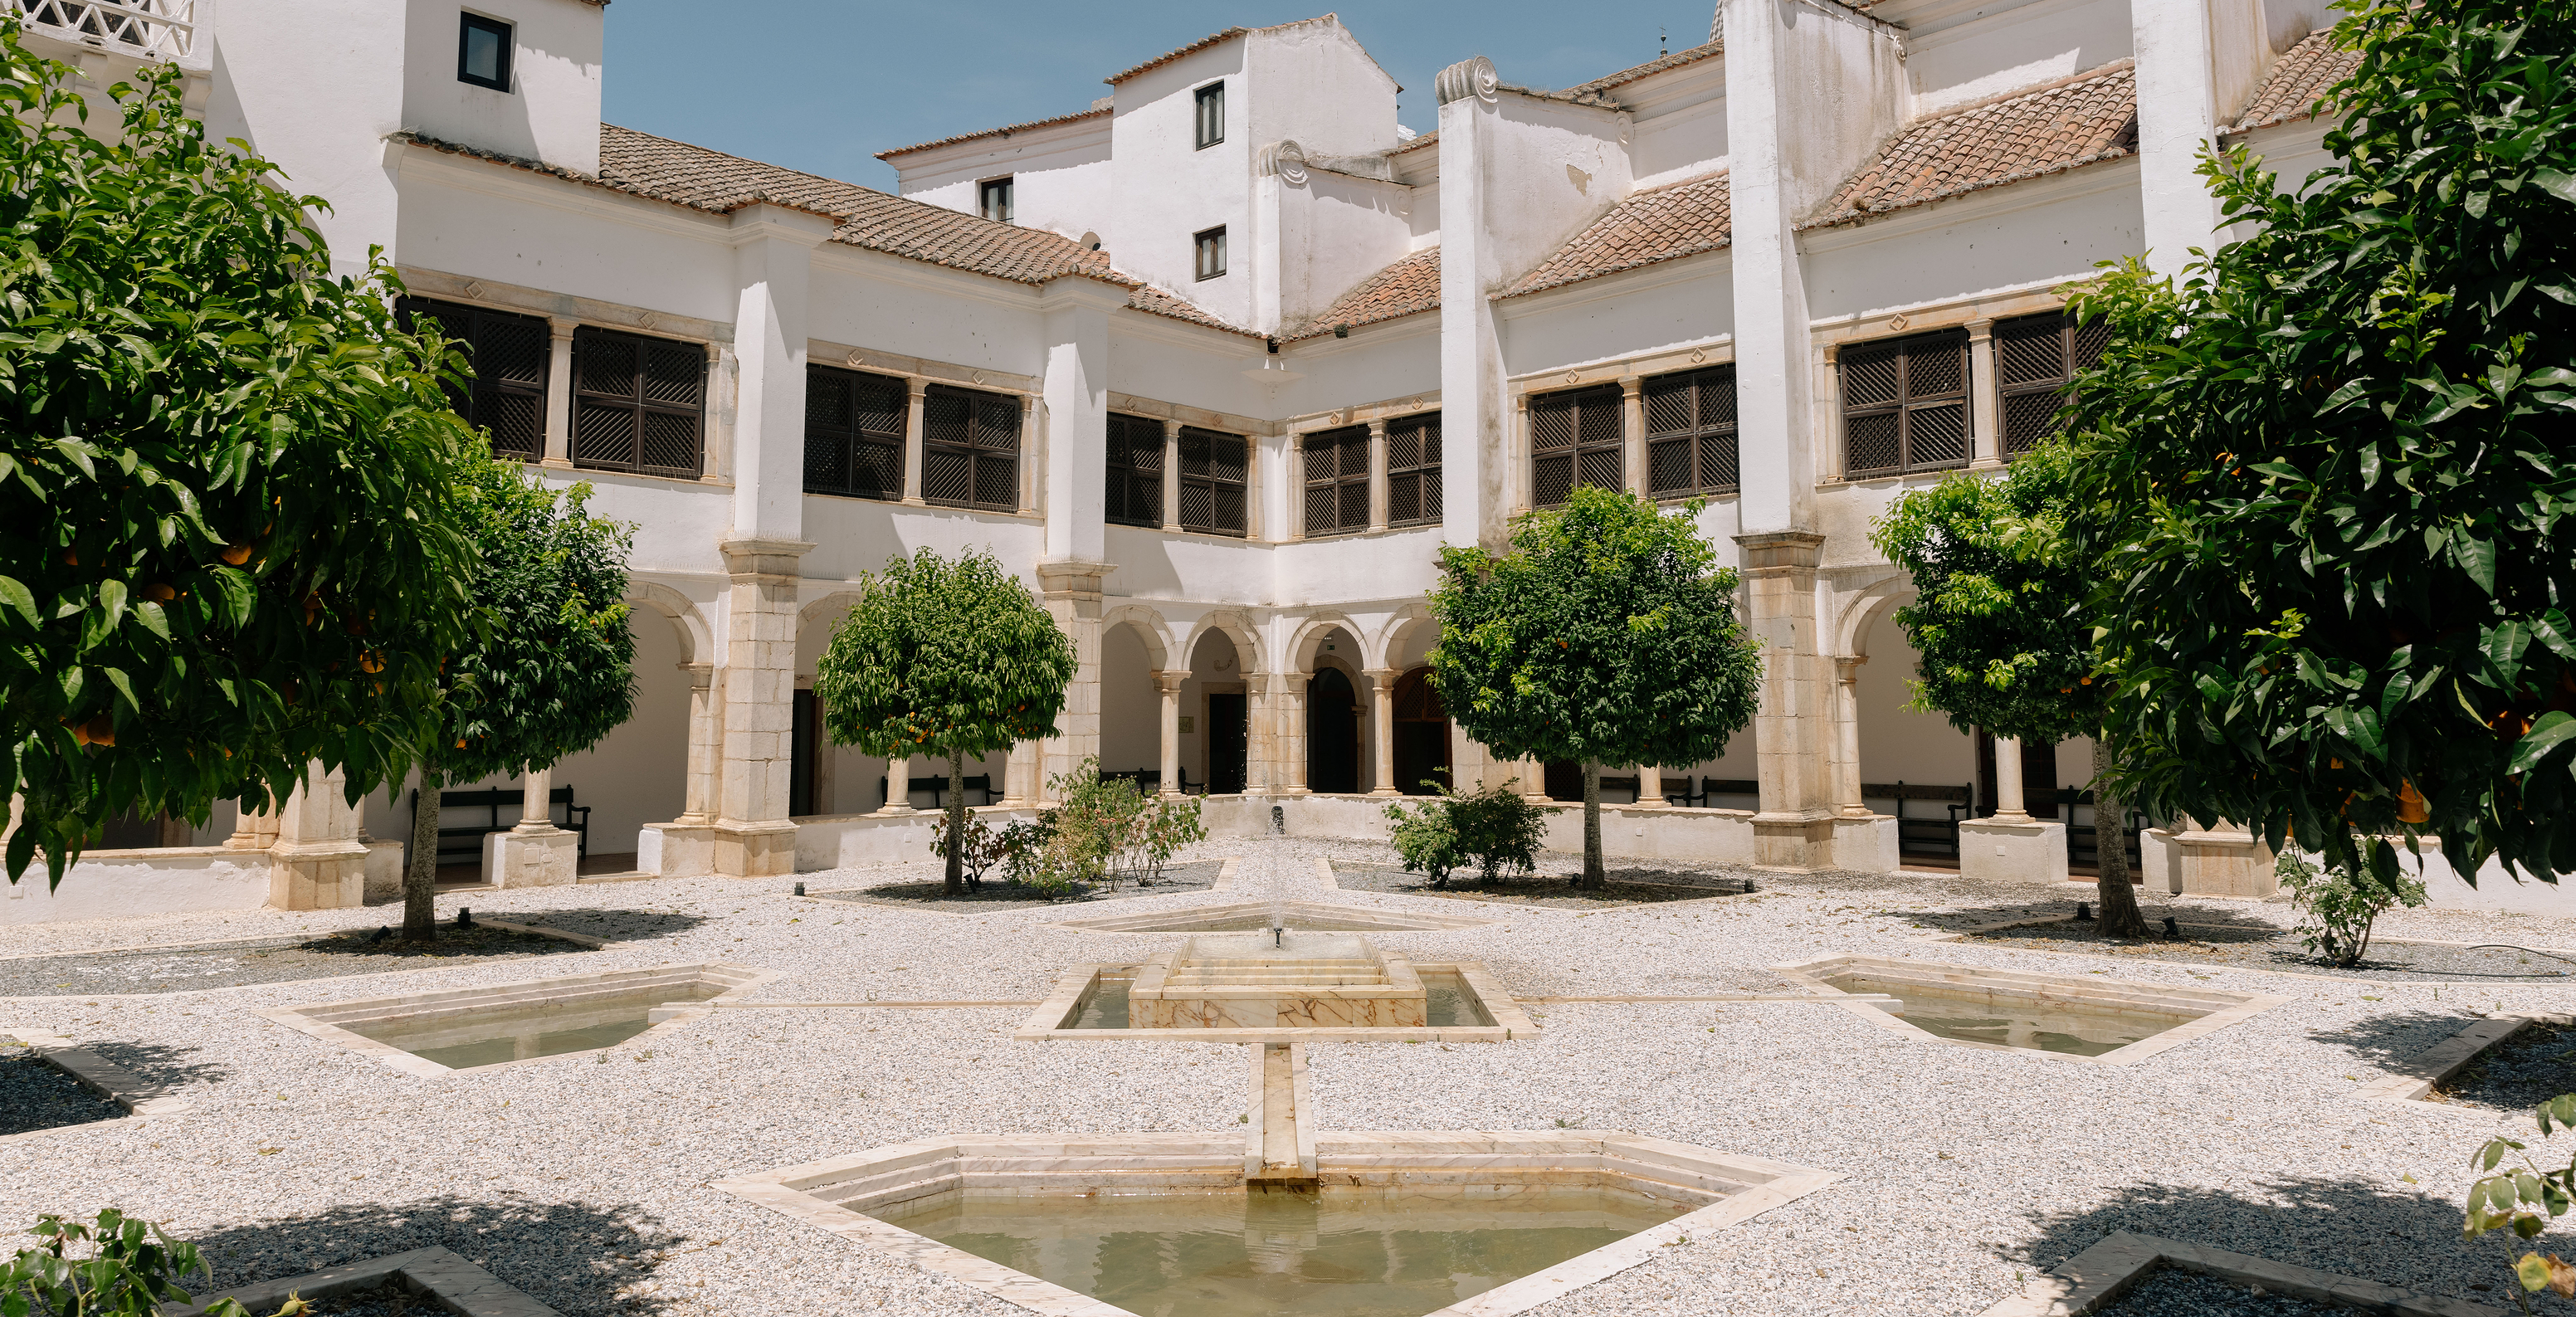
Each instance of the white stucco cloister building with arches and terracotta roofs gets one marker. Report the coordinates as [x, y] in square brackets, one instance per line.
[1222, 357]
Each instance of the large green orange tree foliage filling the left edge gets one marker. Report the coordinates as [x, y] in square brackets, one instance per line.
[225, 478]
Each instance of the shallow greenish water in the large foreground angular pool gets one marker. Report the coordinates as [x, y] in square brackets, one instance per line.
[1279, 1254]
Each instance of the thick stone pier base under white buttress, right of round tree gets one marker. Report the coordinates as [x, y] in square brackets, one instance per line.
[1792, 718]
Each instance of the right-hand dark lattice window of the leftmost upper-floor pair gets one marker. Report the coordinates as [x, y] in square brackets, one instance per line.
[638, 403]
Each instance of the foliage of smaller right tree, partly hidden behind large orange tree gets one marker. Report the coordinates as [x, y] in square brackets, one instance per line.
[1998, 617]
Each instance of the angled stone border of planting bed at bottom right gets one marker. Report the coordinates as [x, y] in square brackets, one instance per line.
[2106, 1272]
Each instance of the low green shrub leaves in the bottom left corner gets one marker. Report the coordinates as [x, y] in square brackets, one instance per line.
[109, 1267]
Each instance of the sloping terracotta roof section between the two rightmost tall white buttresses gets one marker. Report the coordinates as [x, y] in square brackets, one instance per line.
[2047, 130]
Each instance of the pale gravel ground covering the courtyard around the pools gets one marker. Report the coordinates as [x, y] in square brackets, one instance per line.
[1964, 1171]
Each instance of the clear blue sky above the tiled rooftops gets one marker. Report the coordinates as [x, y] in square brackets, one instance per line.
[826, 84]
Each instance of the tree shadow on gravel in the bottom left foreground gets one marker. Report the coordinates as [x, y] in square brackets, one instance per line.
[568, 1256]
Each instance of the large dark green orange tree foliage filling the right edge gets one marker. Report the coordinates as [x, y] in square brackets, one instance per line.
[2330, 476]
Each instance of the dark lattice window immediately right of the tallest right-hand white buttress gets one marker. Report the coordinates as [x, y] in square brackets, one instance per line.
[1905, 406]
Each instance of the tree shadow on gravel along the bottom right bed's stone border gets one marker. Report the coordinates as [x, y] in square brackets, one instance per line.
[2307, 1220]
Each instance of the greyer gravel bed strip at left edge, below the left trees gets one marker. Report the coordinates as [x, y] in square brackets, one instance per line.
[264, 960]
